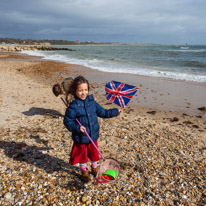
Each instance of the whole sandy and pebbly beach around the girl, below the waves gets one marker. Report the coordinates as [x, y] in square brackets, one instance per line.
[160, 147]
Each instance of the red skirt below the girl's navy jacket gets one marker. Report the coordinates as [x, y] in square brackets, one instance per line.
[81, 152]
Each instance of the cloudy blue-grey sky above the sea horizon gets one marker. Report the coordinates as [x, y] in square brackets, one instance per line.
[125, 21]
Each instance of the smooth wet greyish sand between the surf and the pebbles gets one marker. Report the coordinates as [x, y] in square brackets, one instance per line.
[161, 94]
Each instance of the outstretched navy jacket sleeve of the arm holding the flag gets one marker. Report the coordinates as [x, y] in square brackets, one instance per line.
[106, 113]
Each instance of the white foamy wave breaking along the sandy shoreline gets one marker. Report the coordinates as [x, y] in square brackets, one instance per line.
[117, 67]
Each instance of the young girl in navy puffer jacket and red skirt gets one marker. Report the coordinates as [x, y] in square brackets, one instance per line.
[87, 111]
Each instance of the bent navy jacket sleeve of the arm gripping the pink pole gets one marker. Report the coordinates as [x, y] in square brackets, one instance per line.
[70, 121]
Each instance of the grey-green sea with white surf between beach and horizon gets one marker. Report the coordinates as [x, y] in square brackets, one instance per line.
[179, 62]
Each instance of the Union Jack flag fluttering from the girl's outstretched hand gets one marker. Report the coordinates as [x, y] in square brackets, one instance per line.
[120, 93]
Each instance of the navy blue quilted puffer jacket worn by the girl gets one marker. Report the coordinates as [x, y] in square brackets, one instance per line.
[86, 111]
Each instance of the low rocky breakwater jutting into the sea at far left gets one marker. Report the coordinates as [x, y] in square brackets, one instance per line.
[13, 48]
